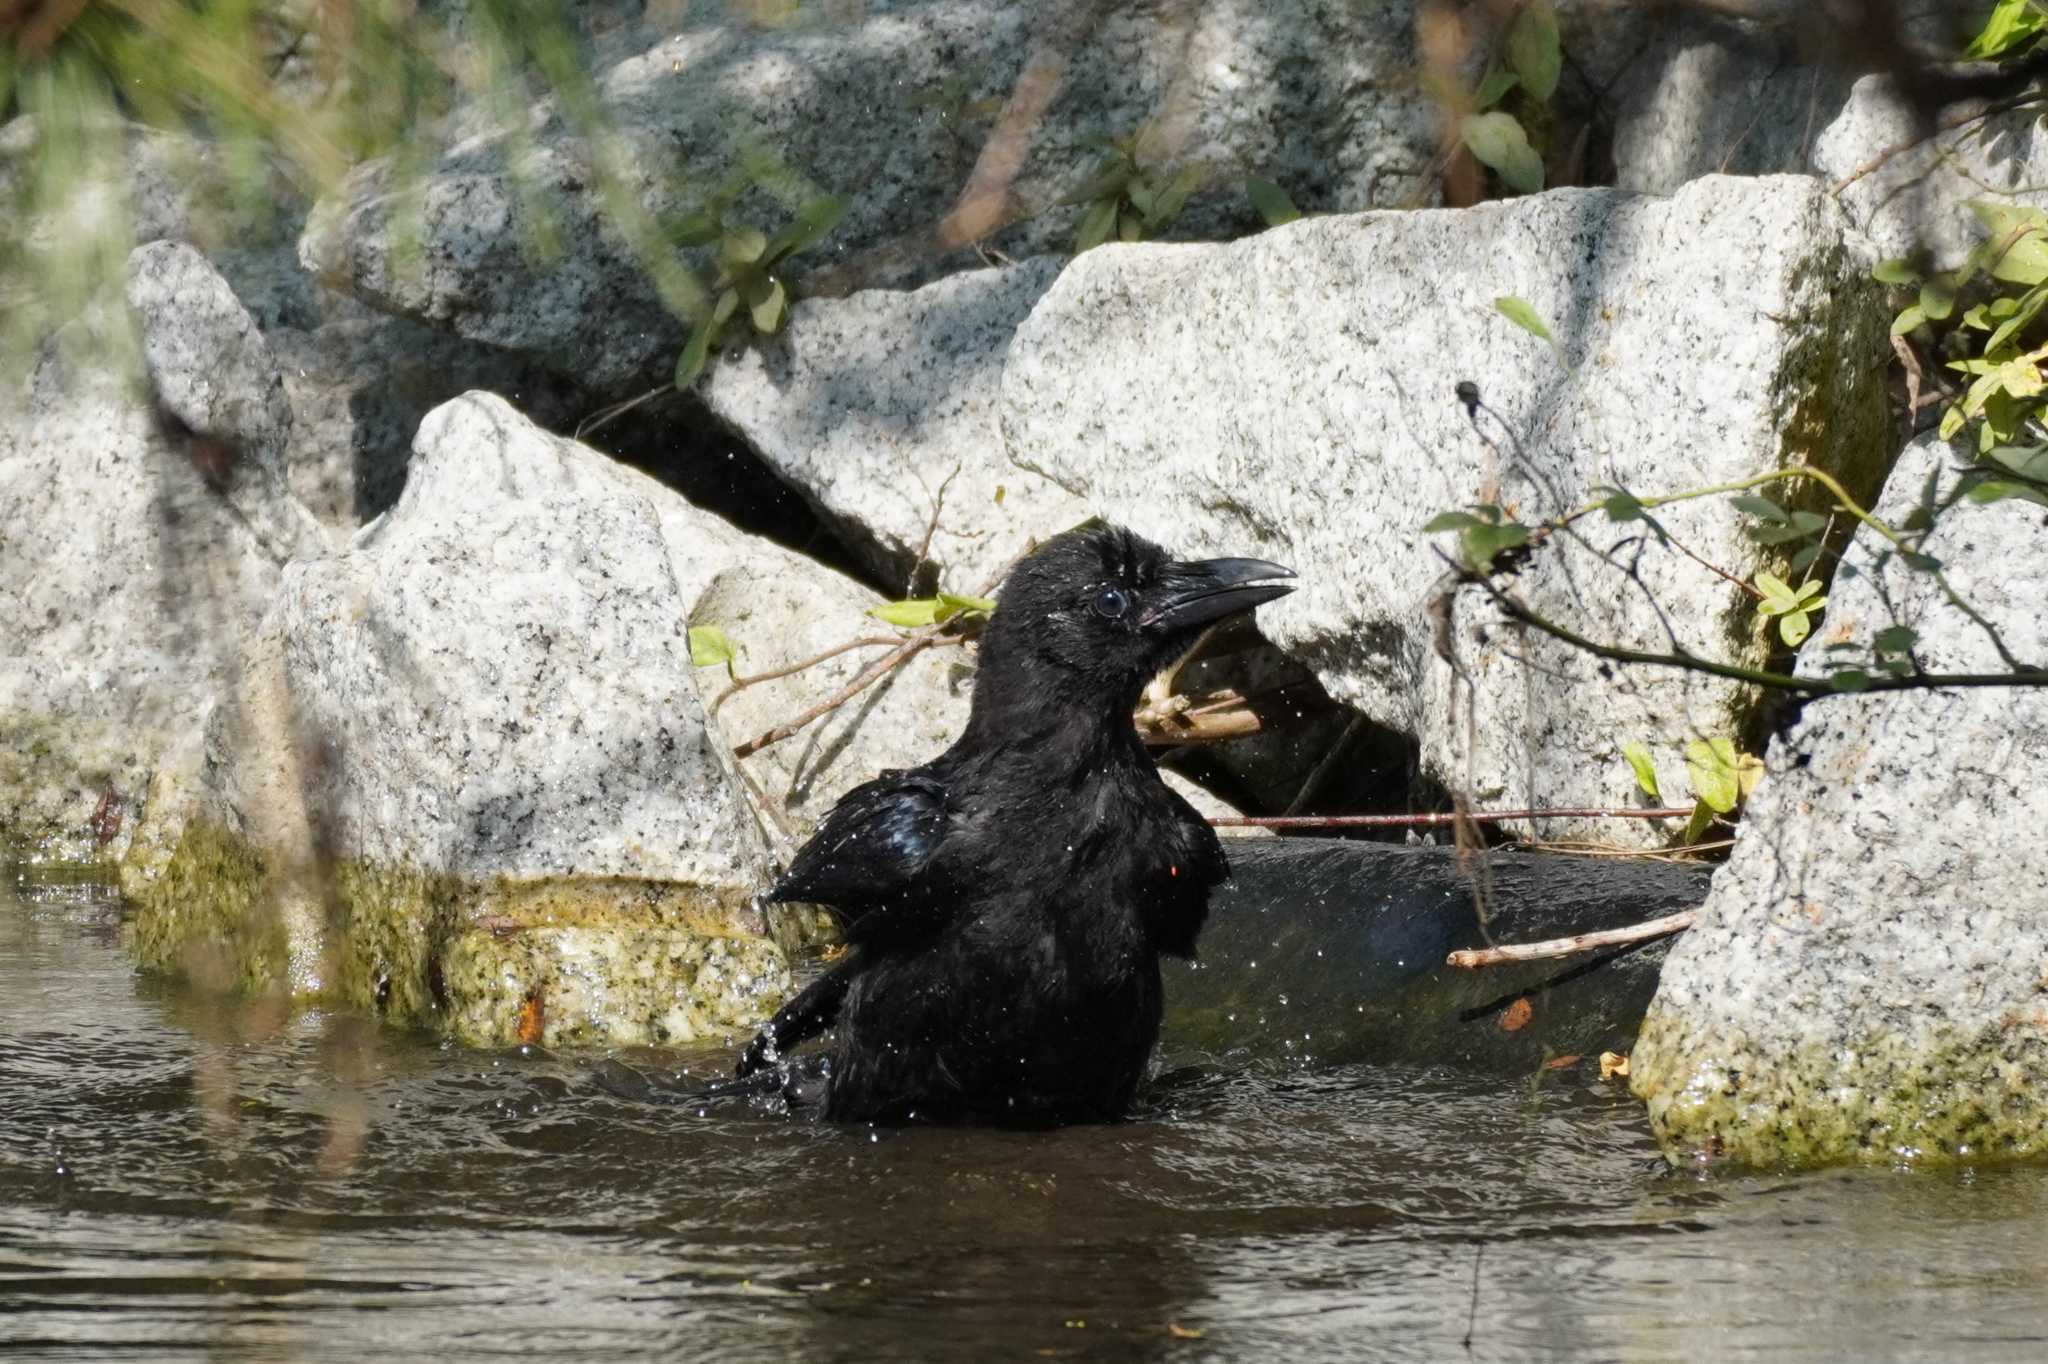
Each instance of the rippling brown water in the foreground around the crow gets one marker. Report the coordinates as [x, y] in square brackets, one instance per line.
[185, 1179]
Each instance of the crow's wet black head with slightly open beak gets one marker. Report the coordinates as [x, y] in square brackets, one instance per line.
[1099, 611]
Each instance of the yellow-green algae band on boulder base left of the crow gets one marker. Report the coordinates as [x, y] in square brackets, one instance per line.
[566, 962]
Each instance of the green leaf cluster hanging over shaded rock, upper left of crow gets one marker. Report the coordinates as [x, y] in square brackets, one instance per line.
[751, 269]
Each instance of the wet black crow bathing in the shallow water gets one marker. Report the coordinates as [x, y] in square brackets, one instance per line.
[1009, 902]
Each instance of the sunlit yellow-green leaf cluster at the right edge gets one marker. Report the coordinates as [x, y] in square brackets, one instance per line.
[2000, 343]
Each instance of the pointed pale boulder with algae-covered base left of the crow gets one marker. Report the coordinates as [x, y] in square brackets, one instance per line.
[468, 781]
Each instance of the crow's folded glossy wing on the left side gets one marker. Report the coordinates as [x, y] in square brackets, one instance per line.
[871, 853]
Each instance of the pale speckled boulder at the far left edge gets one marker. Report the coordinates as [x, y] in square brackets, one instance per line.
[142, 527]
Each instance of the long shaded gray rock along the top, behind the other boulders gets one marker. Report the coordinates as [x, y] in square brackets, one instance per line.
[1318, 95]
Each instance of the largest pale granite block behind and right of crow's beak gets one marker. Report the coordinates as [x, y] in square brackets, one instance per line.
[1291, 396]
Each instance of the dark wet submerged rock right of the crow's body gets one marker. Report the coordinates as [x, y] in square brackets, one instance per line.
[1328, 951]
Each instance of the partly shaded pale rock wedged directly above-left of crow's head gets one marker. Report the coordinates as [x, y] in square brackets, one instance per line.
[876, 404]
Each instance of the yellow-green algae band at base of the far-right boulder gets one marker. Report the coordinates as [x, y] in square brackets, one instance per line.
[1930, 1101]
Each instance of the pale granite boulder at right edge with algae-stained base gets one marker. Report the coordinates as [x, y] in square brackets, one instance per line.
[1869, 980]
